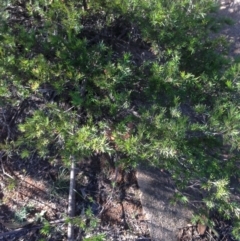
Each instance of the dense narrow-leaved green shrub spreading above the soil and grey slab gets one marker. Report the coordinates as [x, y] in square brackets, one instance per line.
[77, 92]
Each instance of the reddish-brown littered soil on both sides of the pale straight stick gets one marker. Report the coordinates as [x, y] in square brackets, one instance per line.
[34, 192]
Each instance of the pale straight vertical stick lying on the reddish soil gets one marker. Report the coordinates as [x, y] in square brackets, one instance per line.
[71, 200]
